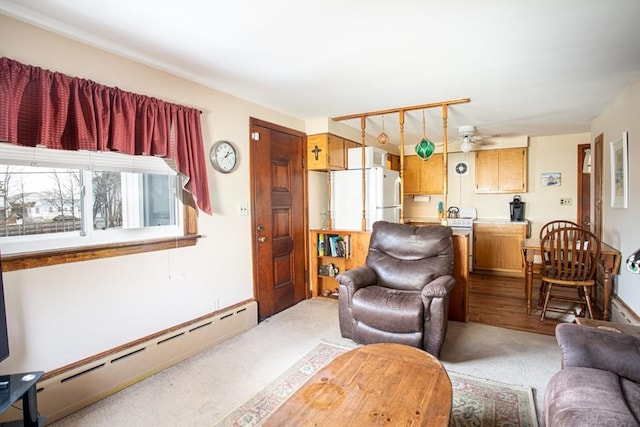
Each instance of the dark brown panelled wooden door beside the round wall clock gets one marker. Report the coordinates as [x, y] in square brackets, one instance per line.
[279, 216]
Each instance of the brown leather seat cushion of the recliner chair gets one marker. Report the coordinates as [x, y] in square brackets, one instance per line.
[388, 309]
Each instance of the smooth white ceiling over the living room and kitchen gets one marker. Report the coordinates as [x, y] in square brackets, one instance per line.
[529, 67]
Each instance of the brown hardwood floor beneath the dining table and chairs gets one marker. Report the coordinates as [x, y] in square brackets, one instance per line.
[500, 301]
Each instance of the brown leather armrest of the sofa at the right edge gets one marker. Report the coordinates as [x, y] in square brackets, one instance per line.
[589, 347]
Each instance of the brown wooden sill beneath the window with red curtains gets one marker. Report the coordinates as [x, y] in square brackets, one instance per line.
[86, 253]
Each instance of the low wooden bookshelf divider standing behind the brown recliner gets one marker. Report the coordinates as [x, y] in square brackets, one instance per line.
[356, 255]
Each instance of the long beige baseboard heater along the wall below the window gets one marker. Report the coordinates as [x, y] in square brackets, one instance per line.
[71, 388]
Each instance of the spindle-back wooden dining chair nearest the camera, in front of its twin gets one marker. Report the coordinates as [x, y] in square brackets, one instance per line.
[572, 254]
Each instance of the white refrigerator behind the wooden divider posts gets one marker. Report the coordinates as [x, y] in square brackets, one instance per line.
[382, 198]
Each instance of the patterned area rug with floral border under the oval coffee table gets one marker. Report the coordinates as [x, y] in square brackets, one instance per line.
[477, 402]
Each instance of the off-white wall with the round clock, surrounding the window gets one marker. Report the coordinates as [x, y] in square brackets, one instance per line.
[60, 314]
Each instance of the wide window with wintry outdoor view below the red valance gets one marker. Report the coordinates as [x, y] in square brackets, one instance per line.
[38, 202]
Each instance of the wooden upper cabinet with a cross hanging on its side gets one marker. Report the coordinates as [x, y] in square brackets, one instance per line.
[327, 152]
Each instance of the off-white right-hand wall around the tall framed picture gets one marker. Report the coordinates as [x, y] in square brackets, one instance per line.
[621, 227]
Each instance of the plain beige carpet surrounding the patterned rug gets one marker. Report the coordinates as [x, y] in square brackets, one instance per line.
[202, 390]
